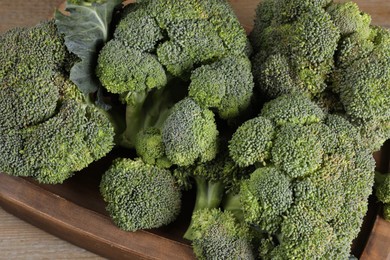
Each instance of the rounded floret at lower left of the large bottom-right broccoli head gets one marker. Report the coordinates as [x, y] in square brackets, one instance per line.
[265, 197]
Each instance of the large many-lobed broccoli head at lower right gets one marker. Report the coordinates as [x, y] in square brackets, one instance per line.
[309, 192]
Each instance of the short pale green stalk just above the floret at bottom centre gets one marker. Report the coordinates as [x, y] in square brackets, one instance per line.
[208, 195]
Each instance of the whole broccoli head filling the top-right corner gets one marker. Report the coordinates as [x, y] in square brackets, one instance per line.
[329, 52]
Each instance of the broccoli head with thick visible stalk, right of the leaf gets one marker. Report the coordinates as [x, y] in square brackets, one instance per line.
[163, 52]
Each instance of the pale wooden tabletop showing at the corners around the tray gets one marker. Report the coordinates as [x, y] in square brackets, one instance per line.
[21, 240]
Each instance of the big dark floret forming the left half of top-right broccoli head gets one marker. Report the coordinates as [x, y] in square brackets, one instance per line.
[294, 44]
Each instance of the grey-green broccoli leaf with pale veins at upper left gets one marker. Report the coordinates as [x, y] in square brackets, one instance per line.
[86, 28]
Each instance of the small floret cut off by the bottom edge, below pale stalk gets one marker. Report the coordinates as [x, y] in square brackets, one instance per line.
[219, 236]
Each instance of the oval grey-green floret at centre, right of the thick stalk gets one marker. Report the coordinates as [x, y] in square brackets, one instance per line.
[189, 133]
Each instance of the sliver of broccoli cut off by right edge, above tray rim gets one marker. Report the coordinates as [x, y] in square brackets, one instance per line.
[382, 192]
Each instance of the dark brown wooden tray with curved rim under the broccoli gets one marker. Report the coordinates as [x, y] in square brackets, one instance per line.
[75, 211]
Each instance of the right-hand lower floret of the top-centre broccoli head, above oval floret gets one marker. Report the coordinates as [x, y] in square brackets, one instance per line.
[225, 85]
